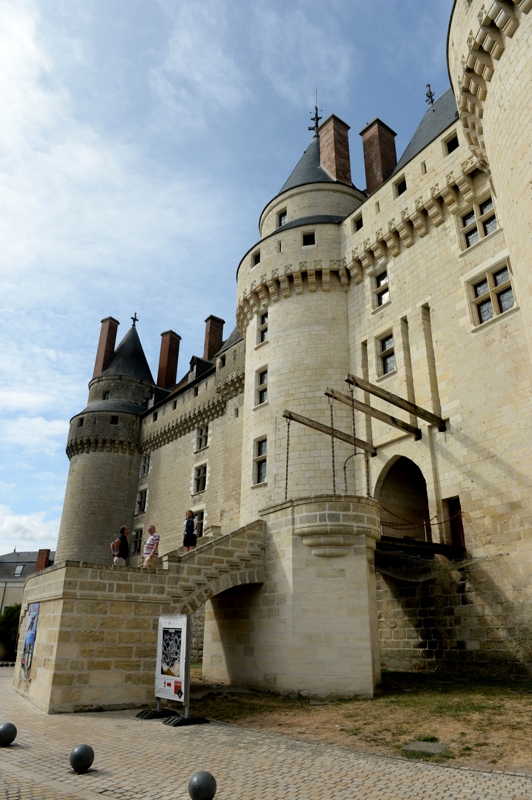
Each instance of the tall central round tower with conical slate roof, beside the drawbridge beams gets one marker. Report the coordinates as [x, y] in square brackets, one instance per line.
[292, 310]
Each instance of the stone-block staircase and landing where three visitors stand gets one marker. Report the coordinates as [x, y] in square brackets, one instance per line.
[97, 628]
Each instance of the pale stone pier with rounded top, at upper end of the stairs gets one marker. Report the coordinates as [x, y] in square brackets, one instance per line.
[311, 627]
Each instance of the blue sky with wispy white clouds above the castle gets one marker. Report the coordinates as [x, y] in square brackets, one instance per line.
[140, 140]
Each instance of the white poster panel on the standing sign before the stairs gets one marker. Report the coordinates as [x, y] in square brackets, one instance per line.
[171, 674]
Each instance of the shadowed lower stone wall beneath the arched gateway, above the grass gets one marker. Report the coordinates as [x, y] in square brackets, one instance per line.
[468, 622]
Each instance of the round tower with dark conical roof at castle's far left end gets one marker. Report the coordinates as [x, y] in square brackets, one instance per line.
[103, 450]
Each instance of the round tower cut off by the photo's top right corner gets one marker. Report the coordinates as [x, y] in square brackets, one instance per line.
[491, 73]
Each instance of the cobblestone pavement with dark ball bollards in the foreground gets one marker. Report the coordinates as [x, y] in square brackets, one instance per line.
[146, 760]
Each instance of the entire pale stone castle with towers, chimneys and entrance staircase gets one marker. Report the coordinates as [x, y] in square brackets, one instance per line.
[346, 525]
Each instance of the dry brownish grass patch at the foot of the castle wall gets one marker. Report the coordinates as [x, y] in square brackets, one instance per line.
[482, 721]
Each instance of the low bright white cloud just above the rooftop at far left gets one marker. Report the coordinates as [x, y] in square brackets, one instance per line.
[26, 531]
